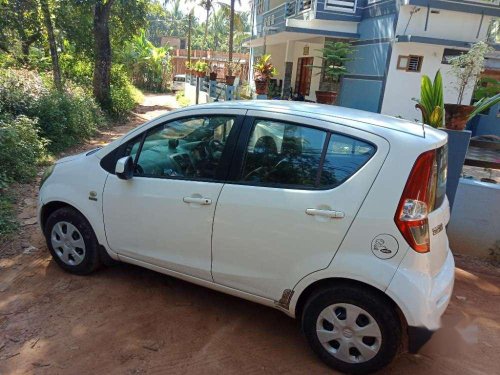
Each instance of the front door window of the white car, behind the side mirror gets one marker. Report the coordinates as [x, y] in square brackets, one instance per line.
[188, 148]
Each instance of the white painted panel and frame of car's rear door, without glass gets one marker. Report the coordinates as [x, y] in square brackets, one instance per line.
[259, 244]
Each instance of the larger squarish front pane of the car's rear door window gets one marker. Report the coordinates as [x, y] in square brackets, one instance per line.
[283, 154]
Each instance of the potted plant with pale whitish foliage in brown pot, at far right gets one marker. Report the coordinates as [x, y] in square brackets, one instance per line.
[467, 69]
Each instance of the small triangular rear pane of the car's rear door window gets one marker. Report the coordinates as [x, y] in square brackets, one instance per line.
[344, 156]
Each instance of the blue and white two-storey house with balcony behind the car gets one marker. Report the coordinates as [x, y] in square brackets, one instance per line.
[396, 41]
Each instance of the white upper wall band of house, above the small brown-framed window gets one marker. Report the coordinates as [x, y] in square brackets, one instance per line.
[445, 25]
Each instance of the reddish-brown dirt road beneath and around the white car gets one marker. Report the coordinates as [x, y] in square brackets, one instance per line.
[127, 320]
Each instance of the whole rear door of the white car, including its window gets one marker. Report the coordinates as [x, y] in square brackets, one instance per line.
[293, 192]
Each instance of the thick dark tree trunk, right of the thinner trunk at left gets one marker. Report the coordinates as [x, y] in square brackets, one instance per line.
[102, 63]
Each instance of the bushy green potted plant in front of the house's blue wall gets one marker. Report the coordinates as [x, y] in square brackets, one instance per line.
[334, 57]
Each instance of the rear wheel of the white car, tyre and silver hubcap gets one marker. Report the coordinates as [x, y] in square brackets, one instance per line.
[352, 329]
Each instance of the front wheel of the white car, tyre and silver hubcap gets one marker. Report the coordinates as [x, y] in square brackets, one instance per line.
[72, 242]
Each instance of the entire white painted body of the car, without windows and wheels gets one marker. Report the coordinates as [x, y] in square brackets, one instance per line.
[420, 284]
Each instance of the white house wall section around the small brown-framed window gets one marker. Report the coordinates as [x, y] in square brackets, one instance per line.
[402, 86]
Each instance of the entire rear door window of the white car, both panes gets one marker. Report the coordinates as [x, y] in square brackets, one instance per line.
[287, 155]
